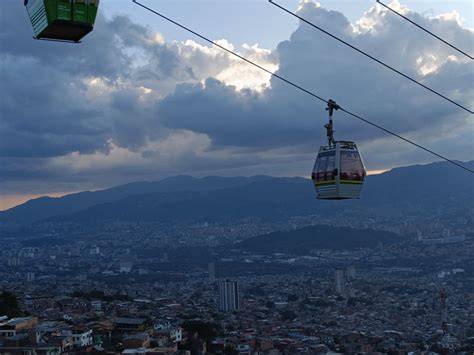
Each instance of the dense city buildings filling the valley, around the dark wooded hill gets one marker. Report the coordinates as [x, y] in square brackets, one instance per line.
[128, 289]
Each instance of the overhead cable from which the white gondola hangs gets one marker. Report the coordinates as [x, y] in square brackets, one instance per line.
[301, 88]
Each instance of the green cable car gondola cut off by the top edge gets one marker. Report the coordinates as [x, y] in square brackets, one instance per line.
[62, 20]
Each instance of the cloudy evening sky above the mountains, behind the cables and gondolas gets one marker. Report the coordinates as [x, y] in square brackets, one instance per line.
[140, 99]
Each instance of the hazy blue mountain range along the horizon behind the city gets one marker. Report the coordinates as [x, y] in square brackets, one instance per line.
[400, 191]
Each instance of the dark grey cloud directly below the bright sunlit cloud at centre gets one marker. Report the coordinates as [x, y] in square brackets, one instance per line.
[230, 118]
